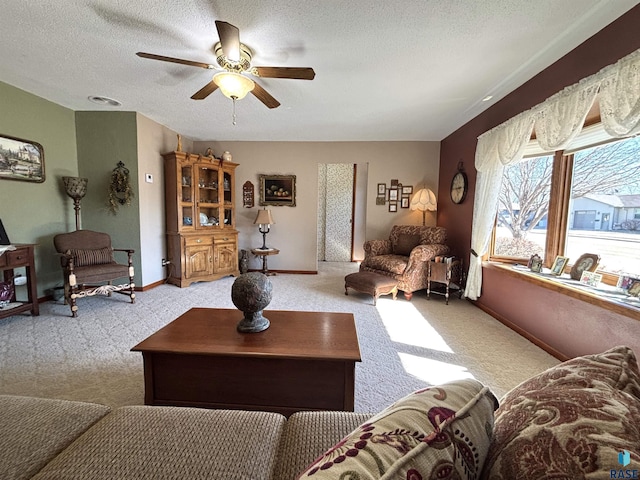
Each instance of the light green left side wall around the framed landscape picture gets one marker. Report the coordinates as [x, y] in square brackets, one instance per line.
[35, 212]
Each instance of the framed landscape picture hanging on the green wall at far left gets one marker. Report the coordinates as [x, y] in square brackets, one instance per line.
[21, 160]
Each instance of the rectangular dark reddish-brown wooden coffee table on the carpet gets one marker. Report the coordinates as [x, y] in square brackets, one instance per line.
[303, 361]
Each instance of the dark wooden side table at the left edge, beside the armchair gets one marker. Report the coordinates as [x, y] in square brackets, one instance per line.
[22, 256]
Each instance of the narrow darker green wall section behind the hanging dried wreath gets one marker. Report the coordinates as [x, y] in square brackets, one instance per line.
[103, 140]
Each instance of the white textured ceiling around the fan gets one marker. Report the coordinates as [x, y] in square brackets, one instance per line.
[395, 70]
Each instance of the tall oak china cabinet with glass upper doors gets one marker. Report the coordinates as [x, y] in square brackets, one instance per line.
[202, 240]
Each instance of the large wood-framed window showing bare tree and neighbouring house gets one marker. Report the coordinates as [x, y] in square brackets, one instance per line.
[583, 200]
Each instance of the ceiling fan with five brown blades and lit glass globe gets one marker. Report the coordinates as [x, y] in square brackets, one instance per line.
[234, 60]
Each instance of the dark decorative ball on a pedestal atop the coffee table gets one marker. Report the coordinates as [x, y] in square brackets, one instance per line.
[251, 293]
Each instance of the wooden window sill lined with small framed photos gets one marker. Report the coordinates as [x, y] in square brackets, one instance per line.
[605, 297]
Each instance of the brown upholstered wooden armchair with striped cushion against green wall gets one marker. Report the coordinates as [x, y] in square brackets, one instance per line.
[89, 267]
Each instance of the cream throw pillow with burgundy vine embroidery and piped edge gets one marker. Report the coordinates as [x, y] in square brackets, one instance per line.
[440, 432]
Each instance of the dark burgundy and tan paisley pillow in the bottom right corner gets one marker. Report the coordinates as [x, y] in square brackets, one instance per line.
[571, 421]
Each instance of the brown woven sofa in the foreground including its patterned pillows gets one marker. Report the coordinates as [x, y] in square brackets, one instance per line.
[579, 419]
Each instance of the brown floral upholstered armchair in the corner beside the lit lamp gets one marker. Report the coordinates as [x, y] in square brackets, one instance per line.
[405, 254]
